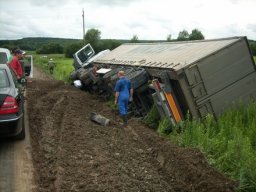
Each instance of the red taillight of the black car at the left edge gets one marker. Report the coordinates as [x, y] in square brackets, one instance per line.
[9, 106]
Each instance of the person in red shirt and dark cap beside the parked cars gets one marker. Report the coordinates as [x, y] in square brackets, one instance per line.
[15, 64]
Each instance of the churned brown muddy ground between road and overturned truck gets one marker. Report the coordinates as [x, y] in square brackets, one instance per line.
[72, 153]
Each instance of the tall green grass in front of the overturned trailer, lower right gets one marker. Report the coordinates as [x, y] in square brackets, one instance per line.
[228, 143]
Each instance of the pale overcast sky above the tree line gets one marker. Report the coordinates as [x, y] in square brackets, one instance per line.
[122, 19]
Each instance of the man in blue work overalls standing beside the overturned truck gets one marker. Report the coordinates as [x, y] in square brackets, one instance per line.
[123, 91]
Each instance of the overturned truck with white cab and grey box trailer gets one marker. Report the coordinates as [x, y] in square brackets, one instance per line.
[199, 77]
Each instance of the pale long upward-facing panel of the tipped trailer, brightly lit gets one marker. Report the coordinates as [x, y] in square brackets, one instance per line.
[172, 55]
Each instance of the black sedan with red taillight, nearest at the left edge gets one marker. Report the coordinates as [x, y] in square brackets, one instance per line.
[11, 105]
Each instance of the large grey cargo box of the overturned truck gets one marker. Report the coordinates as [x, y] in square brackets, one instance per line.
[205, 76]
